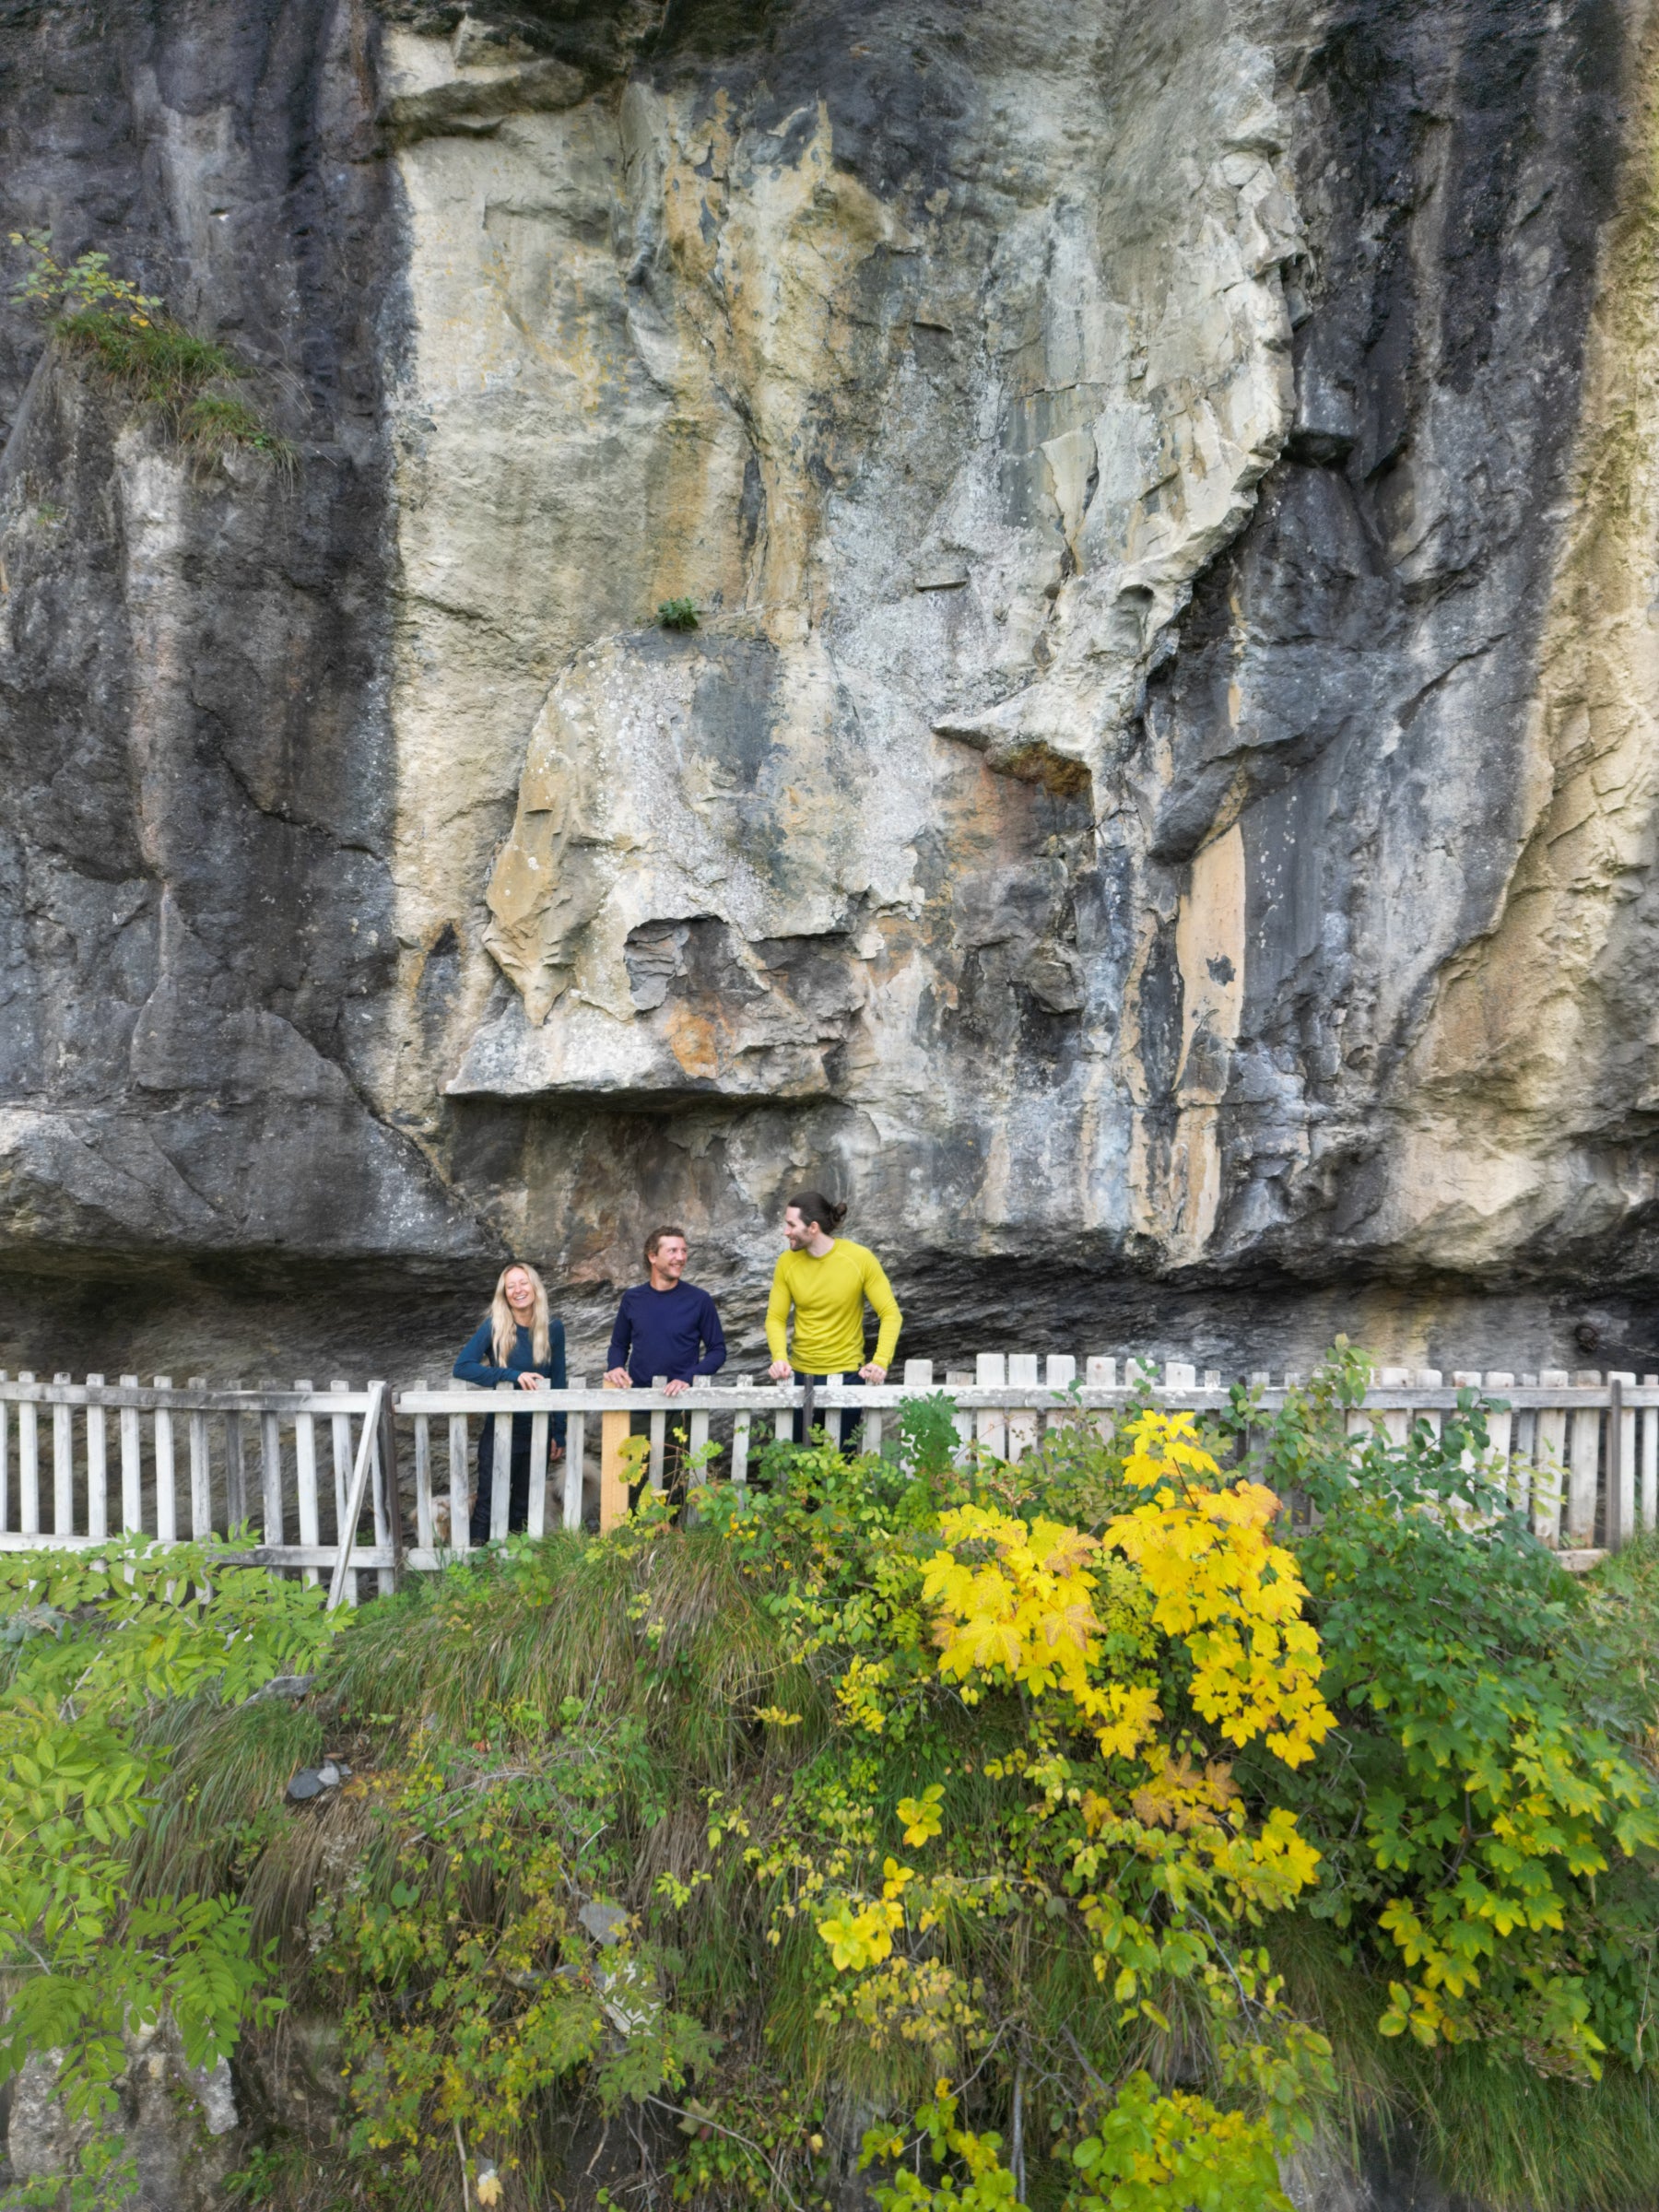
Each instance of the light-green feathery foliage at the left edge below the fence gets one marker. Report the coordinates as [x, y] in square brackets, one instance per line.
[92, 1647]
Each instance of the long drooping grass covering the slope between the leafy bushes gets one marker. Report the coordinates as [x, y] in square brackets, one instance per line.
[669, 1653]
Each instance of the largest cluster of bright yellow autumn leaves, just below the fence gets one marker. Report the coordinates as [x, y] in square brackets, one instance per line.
[1076, 1623]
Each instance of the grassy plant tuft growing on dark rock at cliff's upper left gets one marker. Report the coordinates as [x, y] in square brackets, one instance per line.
[145, 351]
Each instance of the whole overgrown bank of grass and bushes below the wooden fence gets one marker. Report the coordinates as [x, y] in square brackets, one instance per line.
[1074, 1817]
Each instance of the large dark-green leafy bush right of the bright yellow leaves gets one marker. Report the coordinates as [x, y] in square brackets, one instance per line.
[1492, 1824]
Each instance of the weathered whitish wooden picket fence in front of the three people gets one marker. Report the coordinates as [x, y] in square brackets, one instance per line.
[300, 1465]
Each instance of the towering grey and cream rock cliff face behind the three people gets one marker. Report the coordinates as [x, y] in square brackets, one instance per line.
[1158, 806]
